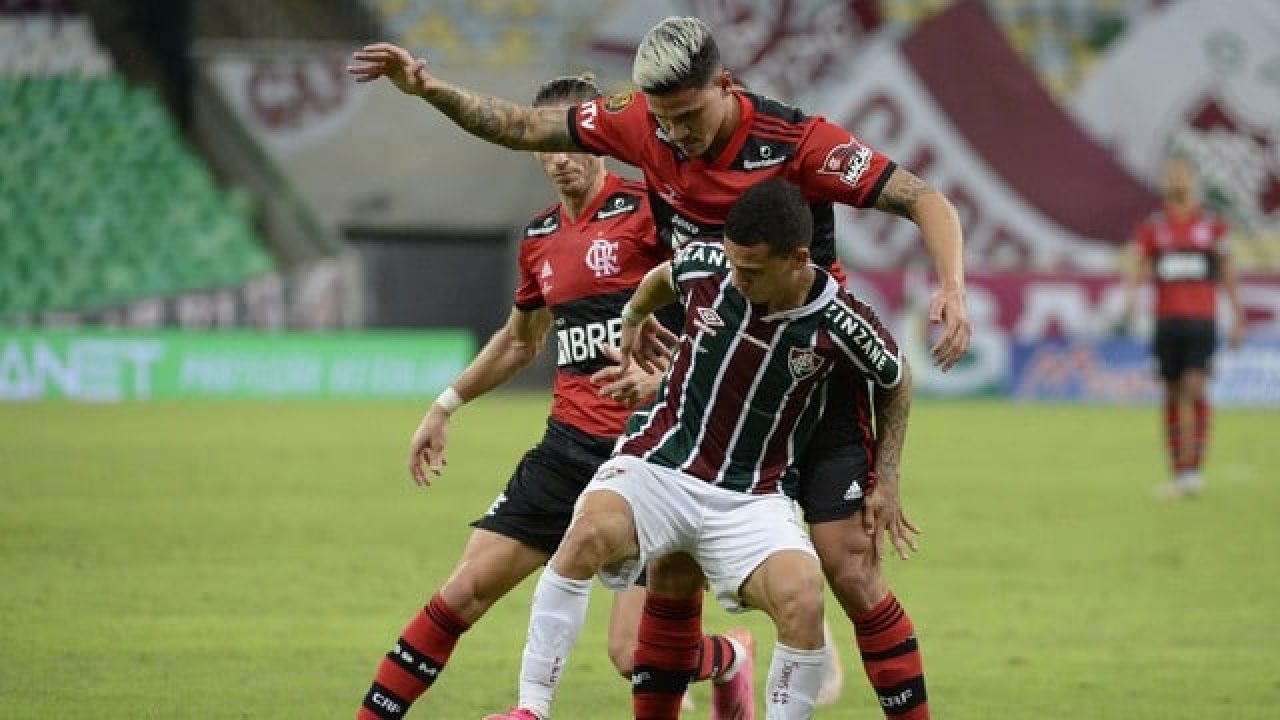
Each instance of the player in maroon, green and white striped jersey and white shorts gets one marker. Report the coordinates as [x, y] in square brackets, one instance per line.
[696, 489]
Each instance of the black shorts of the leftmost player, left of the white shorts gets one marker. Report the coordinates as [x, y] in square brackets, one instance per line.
[538, 503]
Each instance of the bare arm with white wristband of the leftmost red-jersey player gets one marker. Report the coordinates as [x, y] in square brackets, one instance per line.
[509, 352]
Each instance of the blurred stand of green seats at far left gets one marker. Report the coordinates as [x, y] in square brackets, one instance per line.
[88, 190]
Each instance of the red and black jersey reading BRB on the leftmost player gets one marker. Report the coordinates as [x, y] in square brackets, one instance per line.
[584, 271]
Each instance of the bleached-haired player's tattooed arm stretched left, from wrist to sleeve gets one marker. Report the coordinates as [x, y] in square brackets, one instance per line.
[502, 122]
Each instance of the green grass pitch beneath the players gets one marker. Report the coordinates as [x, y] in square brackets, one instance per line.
[255, 560]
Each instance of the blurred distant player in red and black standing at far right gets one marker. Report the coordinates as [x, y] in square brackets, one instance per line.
[1183, 248]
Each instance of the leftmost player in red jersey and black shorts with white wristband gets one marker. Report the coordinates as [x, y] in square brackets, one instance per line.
[579, 263]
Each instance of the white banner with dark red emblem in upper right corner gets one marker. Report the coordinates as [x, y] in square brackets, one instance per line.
[1201, 76]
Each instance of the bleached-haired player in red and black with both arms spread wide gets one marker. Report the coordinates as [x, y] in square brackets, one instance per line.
[702, 140]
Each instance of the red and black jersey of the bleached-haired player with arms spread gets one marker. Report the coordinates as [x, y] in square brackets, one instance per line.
[692, 197]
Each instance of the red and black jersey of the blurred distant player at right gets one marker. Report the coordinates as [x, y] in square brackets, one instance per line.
[1186, 253]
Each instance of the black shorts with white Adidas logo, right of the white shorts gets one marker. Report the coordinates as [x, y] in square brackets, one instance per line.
[834, 475]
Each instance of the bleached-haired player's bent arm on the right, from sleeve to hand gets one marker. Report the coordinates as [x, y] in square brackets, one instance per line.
[912, 198]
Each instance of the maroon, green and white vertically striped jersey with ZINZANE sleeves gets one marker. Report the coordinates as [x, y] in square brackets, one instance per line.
[747, 388]
